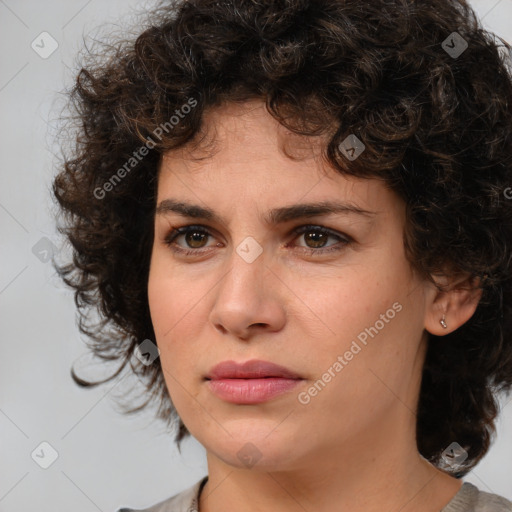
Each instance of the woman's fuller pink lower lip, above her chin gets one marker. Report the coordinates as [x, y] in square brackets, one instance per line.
[251, 391]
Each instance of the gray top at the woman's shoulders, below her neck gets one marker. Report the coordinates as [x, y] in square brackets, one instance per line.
[468, 499]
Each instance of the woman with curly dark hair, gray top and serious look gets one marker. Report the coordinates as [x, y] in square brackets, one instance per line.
[216, 157]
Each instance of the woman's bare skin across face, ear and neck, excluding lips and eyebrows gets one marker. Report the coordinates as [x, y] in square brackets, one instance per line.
[353, 444]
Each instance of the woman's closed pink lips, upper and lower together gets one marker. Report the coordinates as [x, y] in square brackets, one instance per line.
[252, 382]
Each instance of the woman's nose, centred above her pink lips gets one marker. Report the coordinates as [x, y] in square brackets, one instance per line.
[249, 299]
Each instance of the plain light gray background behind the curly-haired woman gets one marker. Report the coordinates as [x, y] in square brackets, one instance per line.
[105, 460]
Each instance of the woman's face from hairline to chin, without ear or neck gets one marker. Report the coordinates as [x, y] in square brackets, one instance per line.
[346, 315]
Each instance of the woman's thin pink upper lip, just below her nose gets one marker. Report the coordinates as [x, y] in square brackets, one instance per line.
[253, 369]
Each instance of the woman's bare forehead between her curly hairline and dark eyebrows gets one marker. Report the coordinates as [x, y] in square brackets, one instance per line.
[244, 156]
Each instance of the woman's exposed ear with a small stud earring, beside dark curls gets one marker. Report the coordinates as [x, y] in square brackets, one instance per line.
[457, 301]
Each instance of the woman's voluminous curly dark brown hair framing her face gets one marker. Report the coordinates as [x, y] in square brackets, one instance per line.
[437, 129]
